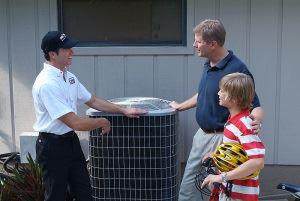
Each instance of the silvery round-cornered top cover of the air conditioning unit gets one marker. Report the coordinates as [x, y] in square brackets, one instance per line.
[153, 106]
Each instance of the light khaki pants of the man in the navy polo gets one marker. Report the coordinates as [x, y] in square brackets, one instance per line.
[202, 144]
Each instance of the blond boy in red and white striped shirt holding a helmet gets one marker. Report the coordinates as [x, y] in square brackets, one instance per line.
[236, 93]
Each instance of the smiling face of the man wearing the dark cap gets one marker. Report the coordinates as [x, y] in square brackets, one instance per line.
[63, 58]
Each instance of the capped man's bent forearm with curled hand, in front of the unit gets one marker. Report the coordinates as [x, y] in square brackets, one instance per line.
[85, 124]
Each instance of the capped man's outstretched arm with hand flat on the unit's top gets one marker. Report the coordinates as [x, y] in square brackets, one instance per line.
[107, 106]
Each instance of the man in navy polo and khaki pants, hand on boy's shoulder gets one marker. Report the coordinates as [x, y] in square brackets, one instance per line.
[211, 117]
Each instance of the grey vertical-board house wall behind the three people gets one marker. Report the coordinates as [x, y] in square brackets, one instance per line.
[264, 34]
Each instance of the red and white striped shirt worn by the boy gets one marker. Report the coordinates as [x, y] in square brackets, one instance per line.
[238, 130]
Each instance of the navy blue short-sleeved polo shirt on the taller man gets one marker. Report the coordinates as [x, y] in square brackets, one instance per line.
[209, 114]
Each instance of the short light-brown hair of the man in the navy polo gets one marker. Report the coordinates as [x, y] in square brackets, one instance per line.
[211, 30]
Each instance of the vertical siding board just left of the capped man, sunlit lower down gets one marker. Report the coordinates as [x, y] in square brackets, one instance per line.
[23, 56]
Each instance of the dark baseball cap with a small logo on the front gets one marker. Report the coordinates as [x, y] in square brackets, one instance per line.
[54, 40]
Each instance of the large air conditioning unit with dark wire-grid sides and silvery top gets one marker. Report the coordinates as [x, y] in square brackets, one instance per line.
[137, 160]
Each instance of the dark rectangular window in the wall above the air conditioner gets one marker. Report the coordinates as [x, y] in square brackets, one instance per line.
[124, 22]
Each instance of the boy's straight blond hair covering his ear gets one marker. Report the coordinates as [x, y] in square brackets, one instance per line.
[240, 89]
